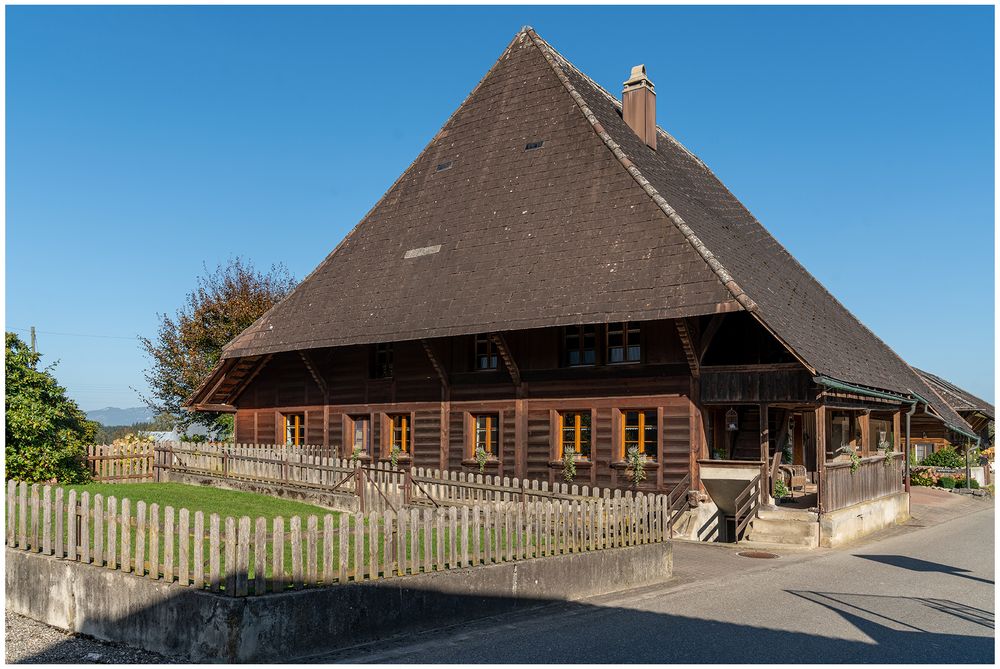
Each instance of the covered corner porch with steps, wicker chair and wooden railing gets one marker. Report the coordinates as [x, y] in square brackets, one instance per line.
[796, 460]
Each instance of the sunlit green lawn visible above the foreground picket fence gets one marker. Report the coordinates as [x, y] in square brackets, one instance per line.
[203, 498]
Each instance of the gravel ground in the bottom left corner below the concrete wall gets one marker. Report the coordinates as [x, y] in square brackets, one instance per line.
[32, 642]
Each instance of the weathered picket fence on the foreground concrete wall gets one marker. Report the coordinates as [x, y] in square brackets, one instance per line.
[241, 557]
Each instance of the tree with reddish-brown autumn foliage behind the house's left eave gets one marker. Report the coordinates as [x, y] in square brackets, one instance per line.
[223, 304]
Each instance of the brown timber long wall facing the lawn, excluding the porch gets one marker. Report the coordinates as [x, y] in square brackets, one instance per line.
[435, 385]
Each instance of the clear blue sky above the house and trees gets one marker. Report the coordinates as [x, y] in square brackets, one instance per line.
[145, 142]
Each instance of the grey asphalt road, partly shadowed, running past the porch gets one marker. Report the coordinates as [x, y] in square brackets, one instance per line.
[916, 594]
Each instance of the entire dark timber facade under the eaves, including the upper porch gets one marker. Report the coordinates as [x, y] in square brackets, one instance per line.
[434, 395]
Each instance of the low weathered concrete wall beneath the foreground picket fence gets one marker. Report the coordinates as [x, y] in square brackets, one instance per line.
[203, 627]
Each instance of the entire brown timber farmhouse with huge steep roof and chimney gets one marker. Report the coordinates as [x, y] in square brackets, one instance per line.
[556, 274]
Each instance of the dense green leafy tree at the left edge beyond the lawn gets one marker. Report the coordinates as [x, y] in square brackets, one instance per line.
[47, 433]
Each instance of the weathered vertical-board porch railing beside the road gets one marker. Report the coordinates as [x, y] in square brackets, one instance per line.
[874, 478]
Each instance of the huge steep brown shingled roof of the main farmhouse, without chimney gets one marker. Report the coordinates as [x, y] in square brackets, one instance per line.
[482, 235]
